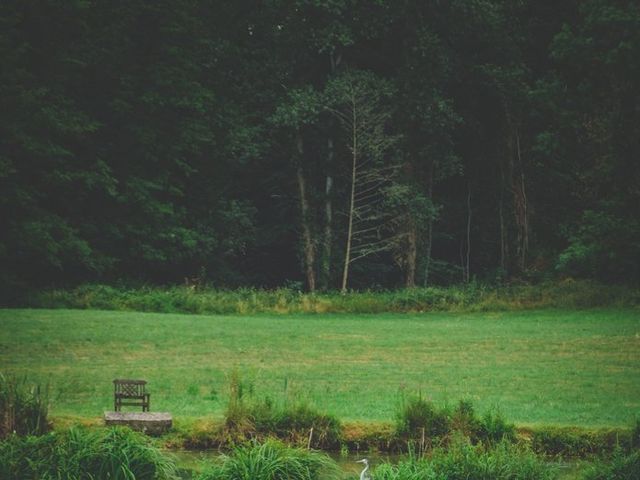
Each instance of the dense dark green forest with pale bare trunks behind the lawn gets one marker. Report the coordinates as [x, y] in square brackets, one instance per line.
[318, 144]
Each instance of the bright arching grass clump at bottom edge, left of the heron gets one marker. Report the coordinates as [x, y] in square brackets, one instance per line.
[271, 461]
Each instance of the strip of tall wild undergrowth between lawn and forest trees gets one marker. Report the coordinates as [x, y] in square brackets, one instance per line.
[207, 300]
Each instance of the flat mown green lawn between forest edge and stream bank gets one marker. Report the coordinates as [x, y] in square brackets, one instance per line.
[537, 367]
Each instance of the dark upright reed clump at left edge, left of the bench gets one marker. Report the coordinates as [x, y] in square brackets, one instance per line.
[23, 407]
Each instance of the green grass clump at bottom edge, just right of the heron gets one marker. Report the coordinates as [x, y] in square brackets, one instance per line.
[463, 461]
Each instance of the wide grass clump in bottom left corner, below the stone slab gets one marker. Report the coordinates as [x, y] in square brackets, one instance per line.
[117, 454]
